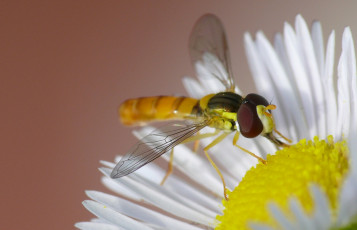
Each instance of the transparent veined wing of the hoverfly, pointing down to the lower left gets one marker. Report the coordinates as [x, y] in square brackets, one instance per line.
[154, 145]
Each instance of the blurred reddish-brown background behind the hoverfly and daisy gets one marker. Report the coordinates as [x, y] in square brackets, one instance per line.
[65, 67]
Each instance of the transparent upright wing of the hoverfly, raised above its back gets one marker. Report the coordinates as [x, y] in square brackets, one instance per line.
[209, 38]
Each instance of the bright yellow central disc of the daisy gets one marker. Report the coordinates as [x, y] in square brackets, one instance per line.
[287, 174]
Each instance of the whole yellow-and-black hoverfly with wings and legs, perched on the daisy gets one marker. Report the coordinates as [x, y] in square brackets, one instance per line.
[226, 111]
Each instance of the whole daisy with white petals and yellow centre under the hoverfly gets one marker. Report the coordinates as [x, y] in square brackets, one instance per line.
[310, 185]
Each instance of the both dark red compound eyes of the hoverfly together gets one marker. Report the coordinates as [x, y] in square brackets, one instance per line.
[249, 123]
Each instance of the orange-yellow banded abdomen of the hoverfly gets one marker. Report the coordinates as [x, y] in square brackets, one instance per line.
[145, 109]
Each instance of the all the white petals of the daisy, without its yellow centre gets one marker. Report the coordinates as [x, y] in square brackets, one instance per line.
[297, 73]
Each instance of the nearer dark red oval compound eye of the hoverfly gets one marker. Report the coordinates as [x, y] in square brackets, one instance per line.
[249, 123]
